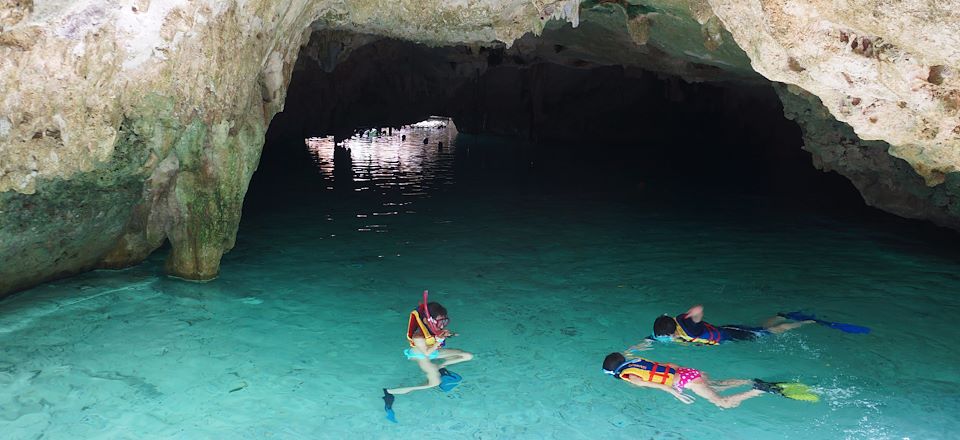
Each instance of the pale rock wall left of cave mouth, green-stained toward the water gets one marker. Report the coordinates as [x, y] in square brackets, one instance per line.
[127, 123]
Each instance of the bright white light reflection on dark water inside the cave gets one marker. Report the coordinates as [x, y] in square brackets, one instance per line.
[399, 166]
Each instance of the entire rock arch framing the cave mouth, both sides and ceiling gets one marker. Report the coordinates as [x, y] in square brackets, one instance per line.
[124, 124]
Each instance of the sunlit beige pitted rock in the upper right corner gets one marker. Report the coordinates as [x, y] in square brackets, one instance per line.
[888, 69]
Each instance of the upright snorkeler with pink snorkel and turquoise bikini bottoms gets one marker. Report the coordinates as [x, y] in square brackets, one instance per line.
[427, 333]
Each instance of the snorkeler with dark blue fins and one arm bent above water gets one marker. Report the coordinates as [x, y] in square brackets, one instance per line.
[690, 327]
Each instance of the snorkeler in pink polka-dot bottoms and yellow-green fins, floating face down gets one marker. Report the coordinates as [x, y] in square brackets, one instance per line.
[674, 379]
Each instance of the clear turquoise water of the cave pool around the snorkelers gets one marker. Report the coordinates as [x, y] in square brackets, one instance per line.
[543, 272]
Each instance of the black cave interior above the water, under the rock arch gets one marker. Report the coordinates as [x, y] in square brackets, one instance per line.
[620, 121]
